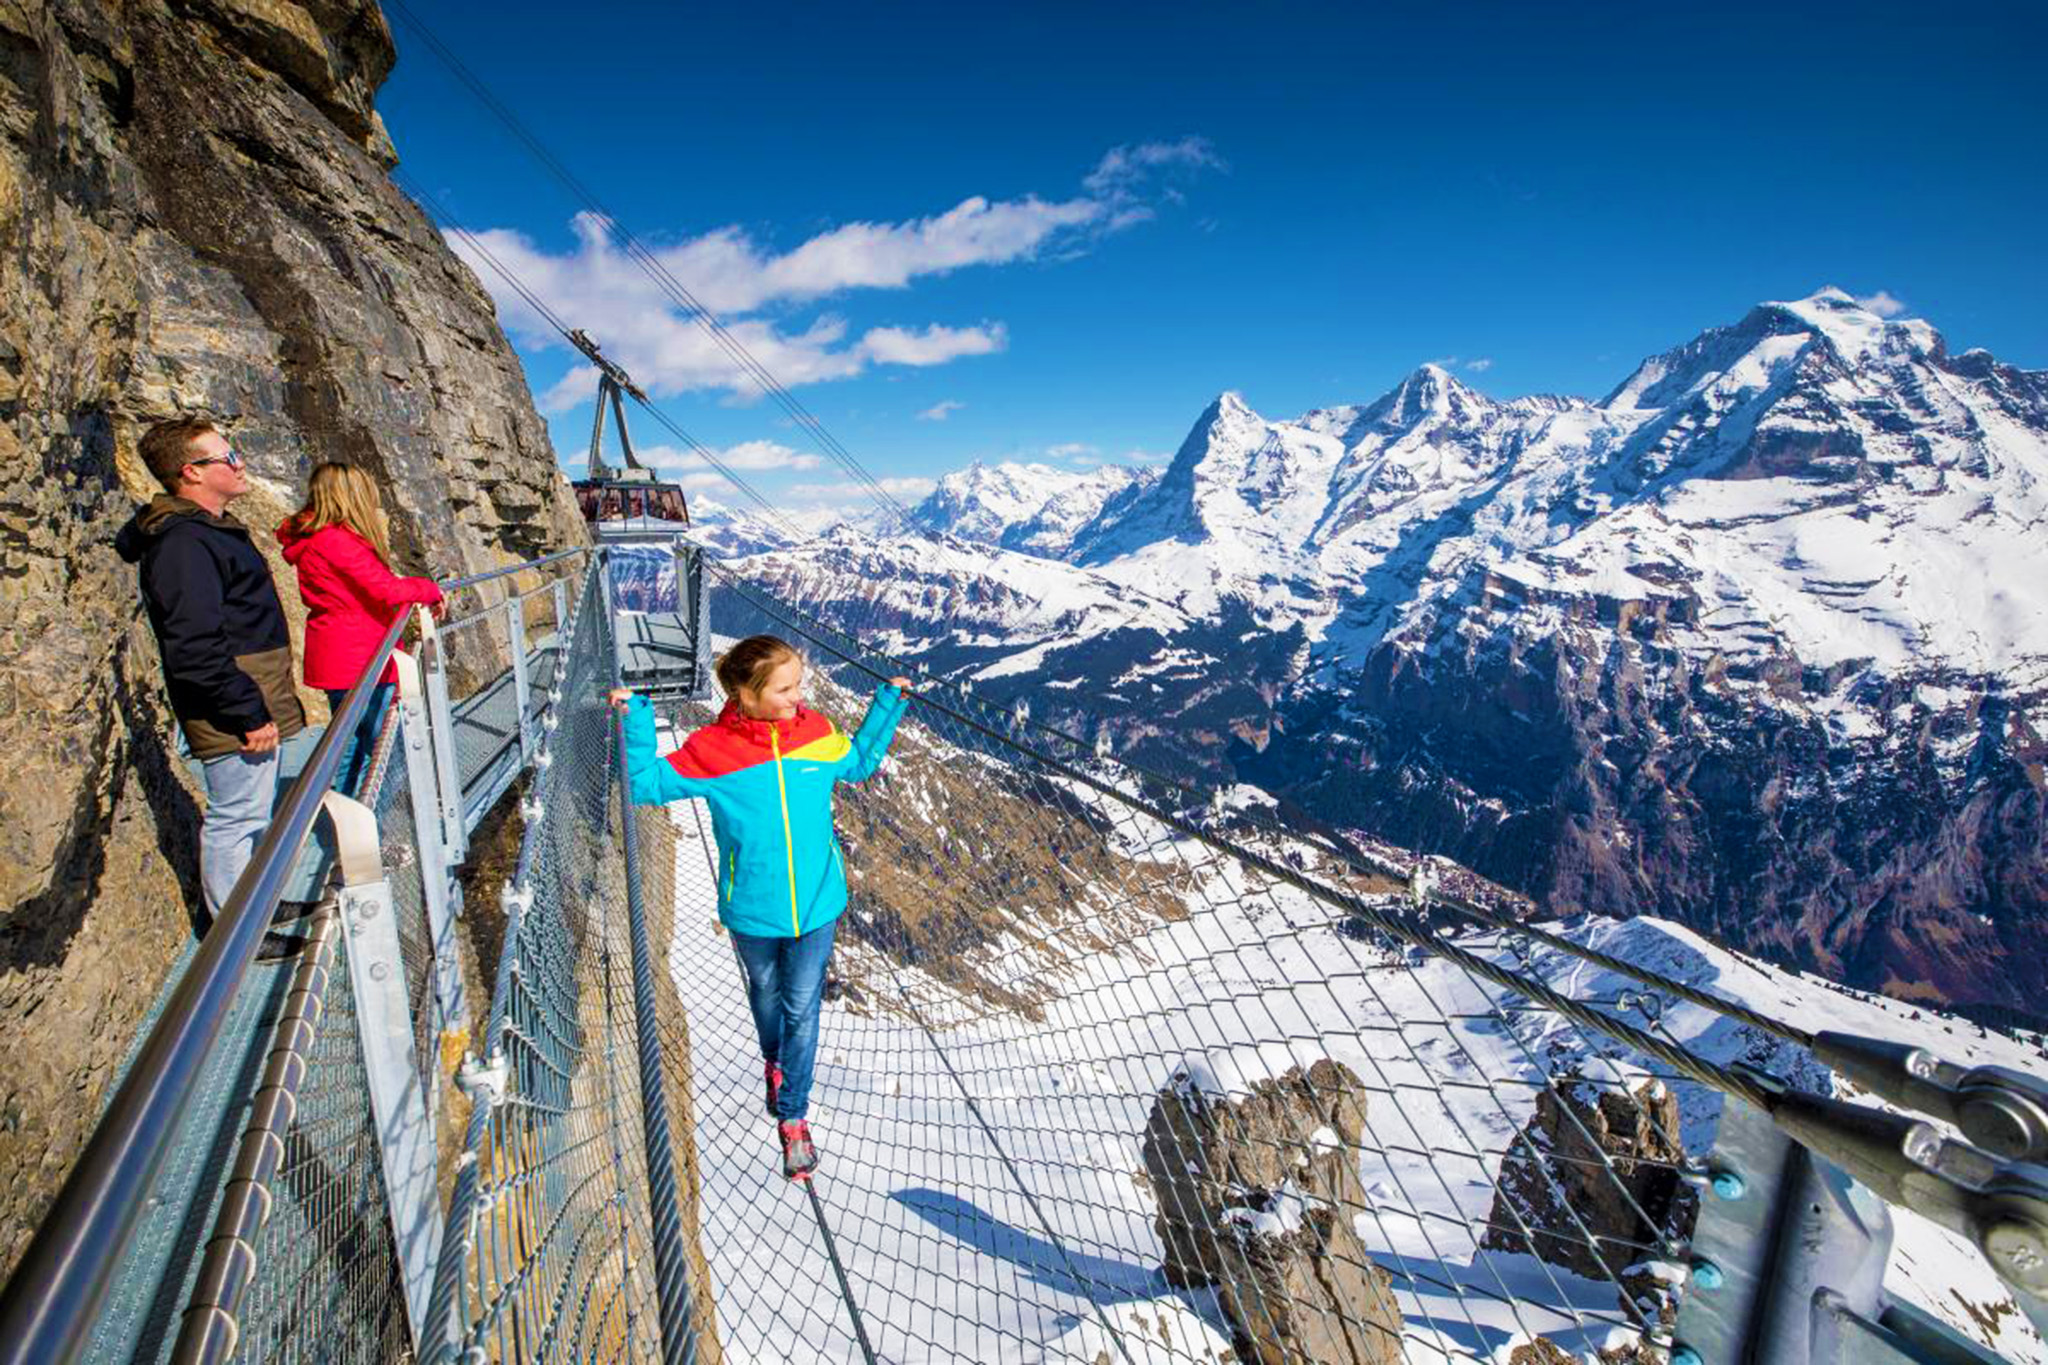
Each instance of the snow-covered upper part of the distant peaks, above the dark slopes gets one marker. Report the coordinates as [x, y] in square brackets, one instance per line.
[1814, 482]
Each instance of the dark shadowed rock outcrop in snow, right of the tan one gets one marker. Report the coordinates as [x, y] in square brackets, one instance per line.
[1592, 1182]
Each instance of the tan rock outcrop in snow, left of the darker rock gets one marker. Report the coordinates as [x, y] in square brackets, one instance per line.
[1256, 1198]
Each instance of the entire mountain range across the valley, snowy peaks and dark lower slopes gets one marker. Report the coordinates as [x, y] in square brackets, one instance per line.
[1785, 588]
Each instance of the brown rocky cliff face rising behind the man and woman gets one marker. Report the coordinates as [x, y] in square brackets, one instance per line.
[196, 218]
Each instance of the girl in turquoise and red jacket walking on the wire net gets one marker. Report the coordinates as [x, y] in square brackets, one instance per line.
[767, 768]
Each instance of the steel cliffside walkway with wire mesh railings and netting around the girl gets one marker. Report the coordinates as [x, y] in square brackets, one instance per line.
[1113, 1071]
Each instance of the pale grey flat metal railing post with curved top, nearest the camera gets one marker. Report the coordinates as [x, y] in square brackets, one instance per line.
[402, 1100]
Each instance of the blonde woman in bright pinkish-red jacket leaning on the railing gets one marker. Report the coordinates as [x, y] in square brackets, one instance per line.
[341, 545]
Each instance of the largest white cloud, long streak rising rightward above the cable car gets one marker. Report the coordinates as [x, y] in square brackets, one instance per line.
[730, 273]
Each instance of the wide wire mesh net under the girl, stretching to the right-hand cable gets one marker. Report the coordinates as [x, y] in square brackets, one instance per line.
[1093, 1086]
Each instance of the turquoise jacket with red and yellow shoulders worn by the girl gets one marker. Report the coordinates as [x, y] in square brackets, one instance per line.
[769, 787]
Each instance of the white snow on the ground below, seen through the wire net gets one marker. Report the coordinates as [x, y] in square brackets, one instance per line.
[984, 1176]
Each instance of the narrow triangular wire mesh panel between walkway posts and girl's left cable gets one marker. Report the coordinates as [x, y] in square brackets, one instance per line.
[552, 1251]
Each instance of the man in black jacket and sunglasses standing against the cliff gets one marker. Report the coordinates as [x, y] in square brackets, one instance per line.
[224, 642]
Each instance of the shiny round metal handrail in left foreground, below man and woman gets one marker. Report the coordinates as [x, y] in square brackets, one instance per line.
[62, 1280]
